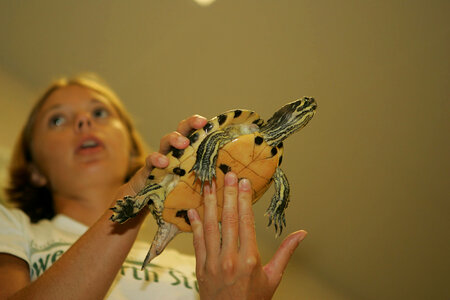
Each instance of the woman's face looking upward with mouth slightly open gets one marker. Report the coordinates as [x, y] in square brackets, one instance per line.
[79, 140]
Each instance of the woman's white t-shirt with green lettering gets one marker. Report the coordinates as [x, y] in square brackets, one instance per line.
[169, 276]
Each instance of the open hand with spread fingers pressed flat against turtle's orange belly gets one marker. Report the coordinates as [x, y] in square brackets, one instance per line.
[228, 261]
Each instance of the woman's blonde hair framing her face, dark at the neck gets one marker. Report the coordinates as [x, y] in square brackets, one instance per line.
[37, 202]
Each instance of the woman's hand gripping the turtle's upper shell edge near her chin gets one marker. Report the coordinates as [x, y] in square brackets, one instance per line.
[177, 139]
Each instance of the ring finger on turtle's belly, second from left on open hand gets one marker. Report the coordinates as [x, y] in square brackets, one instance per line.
[210, 224]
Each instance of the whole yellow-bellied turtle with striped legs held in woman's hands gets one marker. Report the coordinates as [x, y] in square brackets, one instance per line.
[237, 140]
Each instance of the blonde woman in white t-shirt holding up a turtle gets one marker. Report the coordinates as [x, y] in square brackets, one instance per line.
[77, 154]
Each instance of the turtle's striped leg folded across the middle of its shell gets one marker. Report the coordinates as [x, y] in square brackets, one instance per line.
[207, 152]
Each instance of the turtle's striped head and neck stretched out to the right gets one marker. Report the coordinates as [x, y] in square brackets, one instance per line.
[288, 119]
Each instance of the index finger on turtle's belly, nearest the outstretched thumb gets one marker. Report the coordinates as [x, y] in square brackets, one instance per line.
[247, 234]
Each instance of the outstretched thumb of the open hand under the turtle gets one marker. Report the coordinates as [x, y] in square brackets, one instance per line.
[275, 268]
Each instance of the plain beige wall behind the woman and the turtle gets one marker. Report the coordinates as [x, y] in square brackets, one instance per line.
[369, 174]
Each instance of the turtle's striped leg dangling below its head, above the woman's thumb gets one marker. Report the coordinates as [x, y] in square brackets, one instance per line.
[280, 200]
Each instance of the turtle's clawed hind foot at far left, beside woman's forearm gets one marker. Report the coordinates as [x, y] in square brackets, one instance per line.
[129, 206]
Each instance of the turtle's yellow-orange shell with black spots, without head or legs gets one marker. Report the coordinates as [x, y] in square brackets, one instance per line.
[248, 155]
